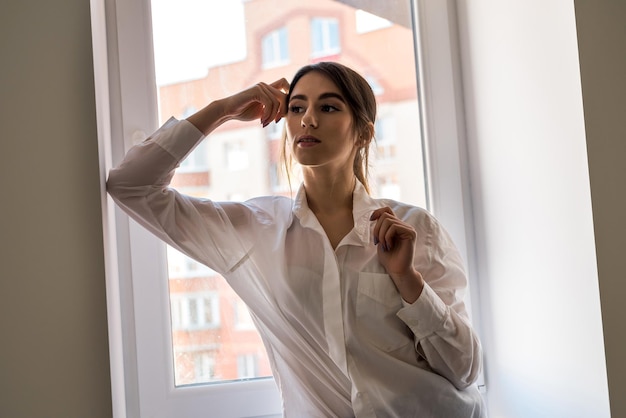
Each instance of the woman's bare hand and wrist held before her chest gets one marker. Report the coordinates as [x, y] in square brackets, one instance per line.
[396, 248]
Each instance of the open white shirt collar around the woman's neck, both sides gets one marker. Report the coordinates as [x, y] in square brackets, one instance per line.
[362, 207]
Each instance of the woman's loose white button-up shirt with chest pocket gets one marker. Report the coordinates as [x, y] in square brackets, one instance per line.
[341, 341]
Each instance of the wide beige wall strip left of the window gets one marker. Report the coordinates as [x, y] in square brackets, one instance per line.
[53, 330]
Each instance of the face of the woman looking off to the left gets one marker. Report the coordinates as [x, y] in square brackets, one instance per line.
[319, 124]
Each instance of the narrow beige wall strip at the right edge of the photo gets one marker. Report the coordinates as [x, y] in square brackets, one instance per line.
[602, 42]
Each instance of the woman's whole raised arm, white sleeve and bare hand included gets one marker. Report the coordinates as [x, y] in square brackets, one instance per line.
[140, 184]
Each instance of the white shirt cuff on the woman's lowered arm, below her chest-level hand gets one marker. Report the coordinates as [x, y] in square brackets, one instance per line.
[426, 315]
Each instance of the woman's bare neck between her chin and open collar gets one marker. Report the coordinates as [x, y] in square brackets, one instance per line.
[327, 194]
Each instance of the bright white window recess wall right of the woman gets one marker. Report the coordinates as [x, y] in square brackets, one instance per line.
[532, 203]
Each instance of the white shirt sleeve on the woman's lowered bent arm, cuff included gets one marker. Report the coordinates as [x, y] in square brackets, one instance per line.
[438, 319]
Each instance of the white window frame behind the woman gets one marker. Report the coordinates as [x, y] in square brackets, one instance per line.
[126, 104]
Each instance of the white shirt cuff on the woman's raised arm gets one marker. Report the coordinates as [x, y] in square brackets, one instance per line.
[178, 138]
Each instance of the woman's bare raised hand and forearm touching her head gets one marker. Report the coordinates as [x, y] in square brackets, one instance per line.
[266, 102]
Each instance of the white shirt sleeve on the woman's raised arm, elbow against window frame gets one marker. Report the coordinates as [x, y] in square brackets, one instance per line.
[140, 186]
